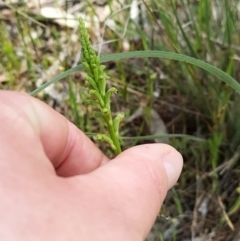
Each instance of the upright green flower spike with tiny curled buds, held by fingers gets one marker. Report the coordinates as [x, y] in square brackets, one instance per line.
[97, 81]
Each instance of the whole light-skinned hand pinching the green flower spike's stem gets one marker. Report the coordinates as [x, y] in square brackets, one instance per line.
[55, 184]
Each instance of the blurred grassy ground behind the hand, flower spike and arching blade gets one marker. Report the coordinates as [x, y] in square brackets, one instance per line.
[163, 100]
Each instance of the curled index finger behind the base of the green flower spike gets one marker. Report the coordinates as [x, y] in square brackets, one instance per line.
[28, 121]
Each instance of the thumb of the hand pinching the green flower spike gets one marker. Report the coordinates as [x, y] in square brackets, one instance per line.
[132, 187]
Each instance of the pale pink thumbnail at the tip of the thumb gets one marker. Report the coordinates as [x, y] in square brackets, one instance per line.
[173, 166]
